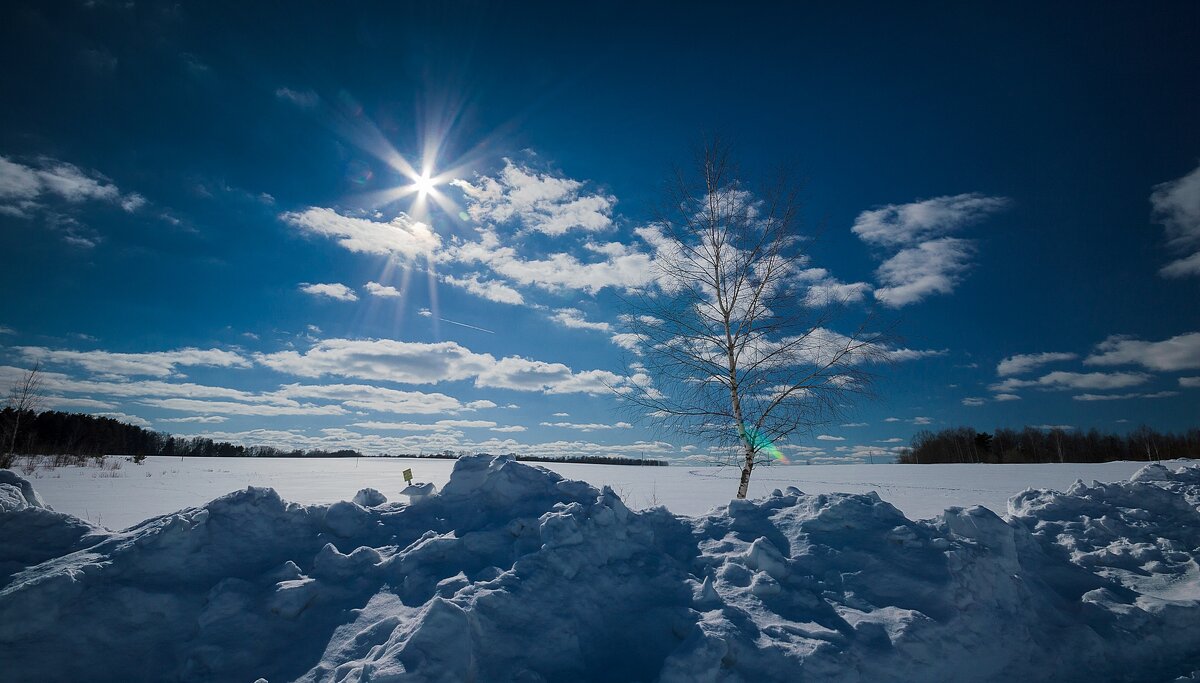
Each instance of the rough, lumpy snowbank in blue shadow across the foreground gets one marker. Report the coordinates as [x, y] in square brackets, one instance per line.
[512, 573]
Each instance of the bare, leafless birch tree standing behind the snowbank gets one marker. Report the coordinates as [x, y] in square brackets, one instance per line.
[730, 343]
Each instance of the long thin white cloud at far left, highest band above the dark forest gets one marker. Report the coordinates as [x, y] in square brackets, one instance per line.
[158, 364]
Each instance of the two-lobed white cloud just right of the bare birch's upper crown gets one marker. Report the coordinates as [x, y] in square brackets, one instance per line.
[927, 261]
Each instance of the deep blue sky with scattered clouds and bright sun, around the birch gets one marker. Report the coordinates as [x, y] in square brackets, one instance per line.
[209, 223]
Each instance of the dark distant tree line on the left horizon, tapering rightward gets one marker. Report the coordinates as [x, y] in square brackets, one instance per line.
[55, 433]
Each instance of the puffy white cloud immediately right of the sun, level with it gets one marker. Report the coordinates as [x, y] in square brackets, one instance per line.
[536, 202]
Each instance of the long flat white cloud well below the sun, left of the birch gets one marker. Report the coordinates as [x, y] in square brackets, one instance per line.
[415, 363]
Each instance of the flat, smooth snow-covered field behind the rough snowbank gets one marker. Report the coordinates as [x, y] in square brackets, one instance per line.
[124, 498]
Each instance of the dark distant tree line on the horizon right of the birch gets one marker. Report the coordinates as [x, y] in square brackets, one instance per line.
[964, 445]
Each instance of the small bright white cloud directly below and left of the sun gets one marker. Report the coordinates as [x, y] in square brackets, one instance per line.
[400, 237]
